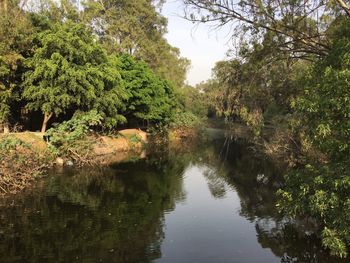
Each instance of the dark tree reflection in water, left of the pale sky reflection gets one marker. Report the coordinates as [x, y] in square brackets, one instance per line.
[112, 215]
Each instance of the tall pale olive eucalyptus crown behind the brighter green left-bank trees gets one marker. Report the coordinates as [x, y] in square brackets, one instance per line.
[137, 28]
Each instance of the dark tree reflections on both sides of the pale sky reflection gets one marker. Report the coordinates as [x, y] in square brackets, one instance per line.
[117, 214]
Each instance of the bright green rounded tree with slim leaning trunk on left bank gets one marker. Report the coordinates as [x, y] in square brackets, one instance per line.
[69, 70]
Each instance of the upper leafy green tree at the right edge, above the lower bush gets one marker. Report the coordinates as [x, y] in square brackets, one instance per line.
[325, 101]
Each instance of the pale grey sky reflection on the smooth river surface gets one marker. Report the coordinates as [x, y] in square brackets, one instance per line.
[207, 229]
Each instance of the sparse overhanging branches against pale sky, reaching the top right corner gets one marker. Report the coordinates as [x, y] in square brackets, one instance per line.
[300, 26]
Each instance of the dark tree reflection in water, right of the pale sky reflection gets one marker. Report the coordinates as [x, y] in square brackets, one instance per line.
[240, 168]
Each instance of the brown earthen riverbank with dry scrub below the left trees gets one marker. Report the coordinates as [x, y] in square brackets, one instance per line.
[25, 156]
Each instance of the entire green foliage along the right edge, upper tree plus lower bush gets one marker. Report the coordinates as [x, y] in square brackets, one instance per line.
[321, 189]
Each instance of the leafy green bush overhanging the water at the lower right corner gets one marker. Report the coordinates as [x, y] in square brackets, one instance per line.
[321, 192]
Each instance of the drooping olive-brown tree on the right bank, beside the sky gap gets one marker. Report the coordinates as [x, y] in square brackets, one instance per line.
[256, 86]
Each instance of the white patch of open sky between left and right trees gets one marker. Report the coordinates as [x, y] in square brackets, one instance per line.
[202, 45]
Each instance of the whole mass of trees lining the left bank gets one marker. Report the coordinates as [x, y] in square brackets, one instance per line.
[112, 58]
